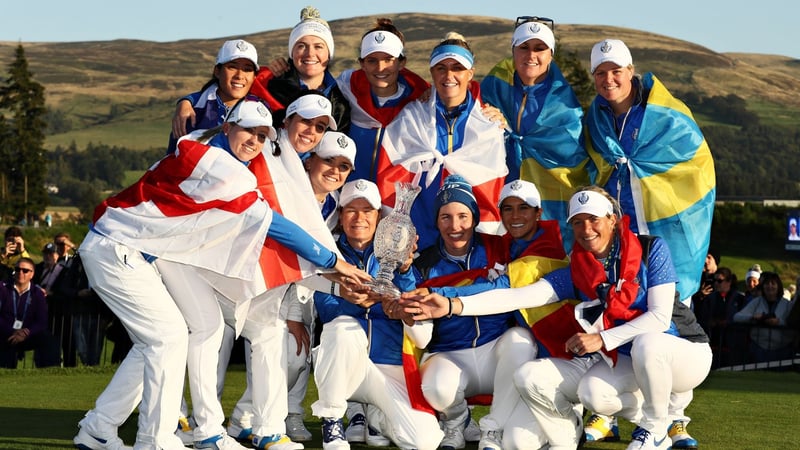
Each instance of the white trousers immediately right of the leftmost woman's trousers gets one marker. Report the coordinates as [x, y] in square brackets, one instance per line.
[198, 304]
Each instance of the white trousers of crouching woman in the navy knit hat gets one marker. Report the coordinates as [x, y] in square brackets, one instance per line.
[448, 378]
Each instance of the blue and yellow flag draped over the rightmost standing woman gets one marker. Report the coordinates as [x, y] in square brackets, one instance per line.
[671, 174]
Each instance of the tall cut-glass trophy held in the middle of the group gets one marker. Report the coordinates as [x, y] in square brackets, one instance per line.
[394, 239]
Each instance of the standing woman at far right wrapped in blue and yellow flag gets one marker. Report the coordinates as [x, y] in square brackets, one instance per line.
[652, 157]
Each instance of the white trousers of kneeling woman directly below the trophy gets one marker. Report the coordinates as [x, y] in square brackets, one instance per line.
[343, 371]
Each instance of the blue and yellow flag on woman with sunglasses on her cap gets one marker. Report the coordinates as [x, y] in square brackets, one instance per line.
[550, 153]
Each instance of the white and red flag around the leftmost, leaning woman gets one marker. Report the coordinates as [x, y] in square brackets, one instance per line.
[198, 206]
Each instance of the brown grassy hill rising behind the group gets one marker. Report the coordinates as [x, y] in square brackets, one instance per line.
[122, 92]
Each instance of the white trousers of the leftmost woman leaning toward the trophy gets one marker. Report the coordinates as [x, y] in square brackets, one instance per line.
[151, 375]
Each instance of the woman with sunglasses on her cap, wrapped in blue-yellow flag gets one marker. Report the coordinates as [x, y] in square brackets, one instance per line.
[544, 140]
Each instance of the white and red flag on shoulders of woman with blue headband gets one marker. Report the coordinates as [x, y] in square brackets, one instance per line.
[409, 149]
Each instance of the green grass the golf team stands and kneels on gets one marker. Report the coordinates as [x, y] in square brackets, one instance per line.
[40, 408]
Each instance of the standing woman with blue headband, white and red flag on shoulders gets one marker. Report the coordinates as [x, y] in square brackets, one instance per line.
[446, 135]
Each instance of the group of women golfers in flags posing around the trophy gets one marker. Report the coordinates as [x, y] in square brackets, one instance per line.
[196, 244]
